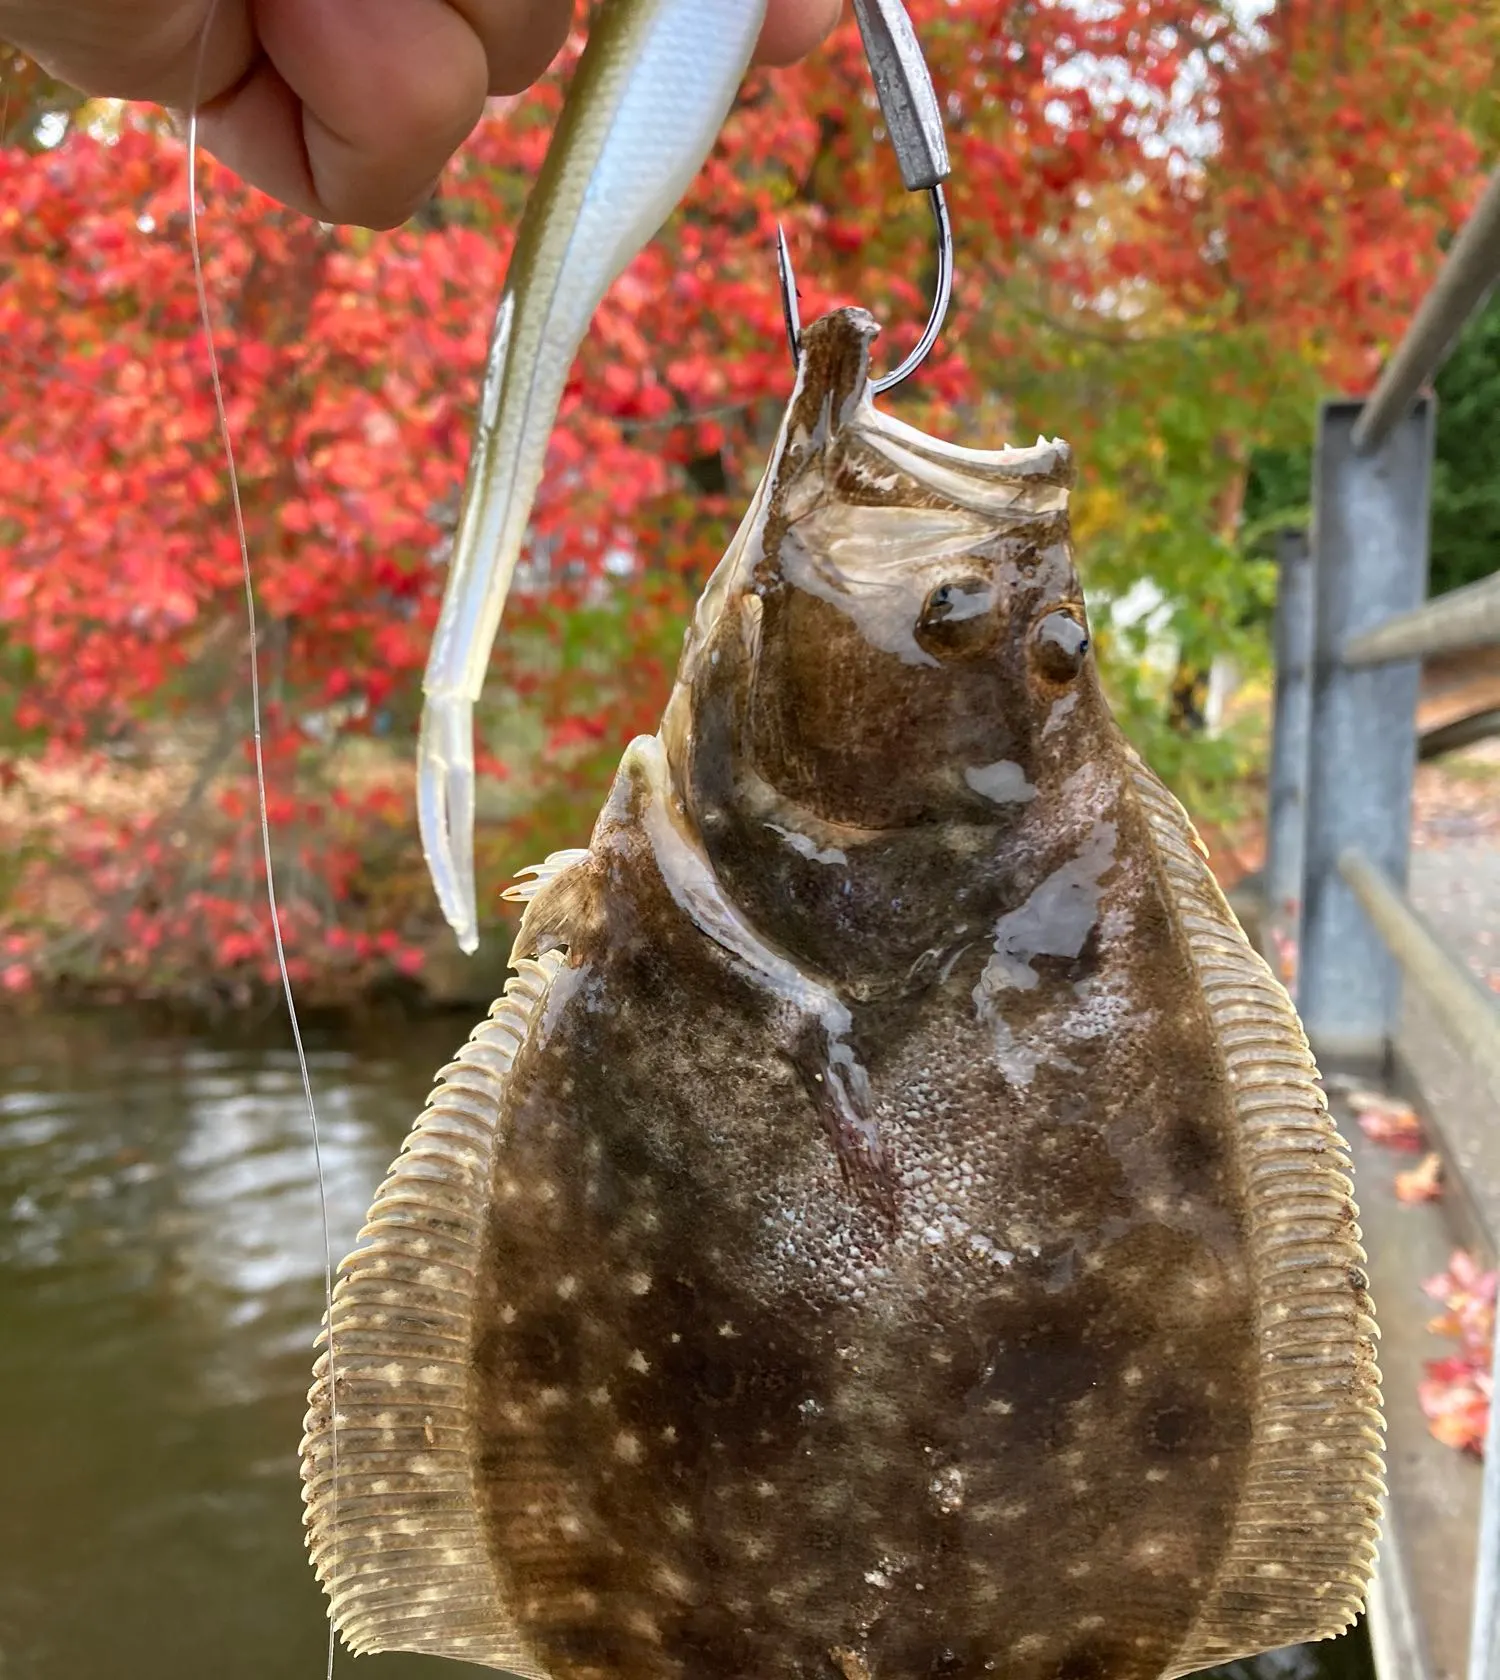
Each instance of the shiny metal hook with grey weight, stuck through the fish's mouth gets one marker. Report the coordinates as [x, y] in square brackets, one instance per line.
[915, 125]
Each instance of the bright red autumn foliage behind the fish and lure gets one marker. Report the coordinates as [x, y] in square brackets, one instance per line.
[1271, 199]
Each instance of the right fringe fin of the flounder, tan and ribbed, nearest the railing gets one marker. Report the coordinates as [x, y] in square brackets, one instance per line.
[1304, 1540]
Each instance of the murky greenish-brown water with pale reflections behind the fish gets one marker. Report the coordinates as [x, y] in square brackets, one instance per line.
[160, 1288]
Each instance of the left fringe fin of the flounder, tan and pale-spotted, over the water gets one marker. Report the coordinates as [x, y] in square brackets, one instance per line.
[399, 1545]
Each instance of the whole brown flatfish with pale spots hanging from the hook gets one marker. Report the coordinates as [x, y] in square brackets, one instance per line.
[889, 1229]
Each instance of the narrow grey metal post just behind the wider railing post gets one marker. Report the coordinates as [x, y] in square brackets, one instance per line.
[1288, 795]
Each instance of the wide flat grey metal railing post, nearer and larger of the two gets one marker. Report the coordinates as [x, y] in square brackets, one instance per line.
[1370, 562]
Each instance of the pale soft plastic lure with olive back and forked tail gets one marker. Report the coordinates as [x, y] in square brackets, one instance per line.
[649, 100]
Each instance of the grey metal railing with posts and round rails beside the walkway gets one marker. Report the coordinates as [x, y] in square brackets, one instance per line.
[1353, 626]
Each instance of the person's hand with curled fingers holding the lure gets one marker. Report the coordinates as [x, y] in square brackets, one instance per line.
[347, 110]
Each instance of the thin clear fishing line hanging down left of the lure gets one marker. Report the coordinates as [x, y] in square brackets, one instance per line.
[281, 958]
